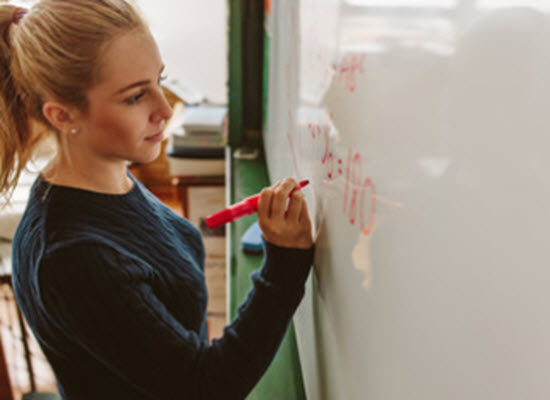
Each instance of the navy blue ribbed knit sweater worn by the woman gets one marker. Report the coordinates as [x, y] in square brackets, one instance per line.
[113, 288]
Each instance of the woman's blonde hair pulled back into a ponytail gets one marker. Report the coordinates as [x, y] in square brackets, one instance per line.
[53, 53]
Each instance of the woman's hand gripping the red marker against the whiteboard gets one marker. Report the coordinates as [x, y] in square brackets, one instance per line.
[281, 226]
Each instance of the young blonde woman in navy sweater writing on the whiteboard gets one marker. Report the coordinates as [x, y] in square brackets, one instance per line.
[109, 279]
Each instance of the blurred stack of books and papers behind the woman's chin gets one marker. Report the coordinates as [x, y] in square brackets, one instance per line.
[197, 140]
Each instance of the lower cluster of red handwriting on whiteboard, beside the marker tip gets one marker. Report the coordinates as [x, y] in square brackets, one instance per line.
[359, 202]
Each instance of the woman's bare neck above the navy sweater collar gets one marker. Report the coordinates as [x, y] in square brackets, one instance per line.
[98, 176]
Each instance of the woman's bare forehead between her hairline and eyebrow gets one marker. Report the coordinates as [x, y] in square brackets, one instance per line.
[129, 58]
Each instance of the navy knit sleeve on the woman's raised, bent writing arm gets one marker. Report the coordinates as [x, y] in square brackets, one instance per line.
[104, 302]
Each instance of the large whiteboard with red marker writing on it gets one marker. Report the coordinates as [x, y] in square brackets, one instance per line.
[425, 131]
